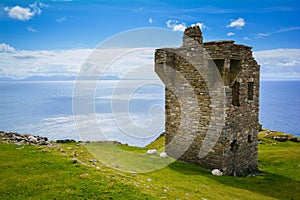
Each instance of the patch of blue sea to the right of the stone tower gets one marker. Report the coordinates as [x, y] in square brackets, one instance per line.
[280, 106]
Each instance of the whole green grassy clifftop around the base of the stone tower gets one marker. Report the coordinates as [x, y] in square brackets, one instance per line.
[49, 173]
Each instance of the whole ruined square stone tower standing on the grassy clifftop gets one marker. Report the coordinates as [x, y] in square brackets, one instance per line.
[211, 103]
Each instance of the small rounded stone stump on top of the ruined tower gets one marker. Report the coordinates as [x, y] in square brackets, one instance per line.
[192, 36]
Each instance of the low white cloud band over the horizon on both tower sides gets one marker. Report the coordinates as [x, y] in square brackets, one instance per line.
[275, 64]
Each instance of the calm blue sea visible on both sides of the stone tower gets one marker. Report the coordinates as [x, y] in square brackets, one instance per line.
[46, 109]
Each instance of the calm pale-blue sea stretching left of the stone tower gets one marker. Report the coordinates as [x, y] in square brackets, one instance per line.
[45, 108]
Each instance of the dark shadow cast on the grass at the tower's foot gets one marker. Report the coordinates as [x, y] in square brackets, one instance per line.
[267, 184]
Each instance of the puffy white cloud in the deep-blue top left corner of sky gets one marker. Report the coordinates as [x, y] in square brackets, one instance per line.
[25, 14]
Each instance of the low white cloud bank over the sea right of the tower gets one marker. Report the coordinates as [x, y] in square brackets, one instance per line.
[279, 63]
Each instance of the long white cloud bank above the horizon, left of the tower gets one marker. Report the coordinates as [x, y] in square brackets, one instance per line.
[134, 64]
